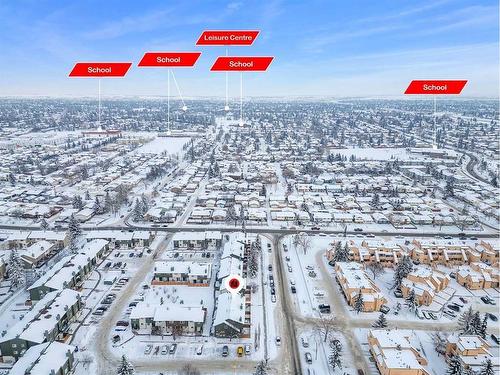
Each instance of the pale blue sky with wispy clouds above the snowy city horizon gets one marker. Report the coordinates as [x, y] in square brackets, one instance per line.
[321, 48]
